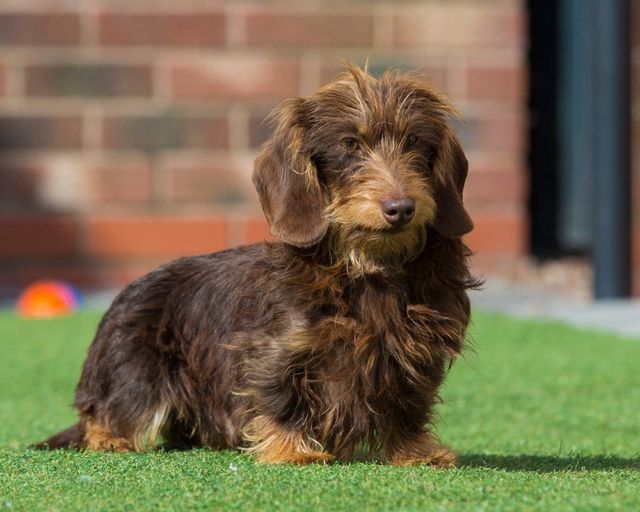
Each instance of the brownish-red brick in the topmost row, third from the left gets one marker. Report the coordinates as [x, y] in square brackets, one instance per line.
[309, 29]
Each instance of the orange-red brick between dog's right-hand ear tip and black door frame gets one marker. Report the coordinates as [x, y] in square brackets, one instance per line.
[498, 233]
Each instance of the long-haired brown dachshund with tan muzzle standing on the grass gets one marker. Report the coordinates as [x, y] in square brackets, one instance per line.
[333, 339]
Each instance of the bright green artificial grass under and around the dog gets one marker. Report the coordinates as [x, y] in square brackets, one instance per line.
[544, 417]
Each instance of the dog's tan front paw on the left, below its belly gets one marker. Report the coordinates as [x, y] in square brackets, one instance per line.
[274, 443]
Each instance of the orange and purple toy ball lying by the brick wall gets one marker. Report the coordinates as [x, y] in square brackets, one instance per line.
[46, 299]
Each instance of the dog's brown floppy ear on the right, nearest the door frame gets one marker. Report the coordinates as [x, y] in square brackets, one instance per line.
[451, 167]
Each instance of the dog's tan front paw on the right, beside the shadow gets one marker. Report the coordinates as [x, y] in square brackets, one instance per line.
[420, 447]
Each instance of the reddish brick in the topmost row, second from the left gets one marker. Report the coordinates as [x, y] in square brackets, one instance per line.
[175, 29]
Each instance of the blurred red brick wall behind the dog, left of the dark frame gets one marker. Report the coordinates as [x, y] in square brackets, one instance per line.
[128, 129]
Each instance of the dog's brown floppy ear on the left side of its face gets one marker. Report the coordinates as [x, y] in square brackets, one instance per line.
[292, 198]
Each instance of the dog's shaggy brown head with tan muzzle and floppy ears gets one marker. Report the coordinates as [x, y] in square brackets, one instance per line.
[368, 164]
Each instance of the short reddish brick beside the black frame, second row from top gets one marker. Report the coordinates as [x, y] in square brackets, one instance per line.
[495, 83]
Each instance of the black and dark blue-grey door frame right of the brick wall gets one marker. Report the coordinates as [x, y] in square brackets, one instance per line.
[580, 126]
